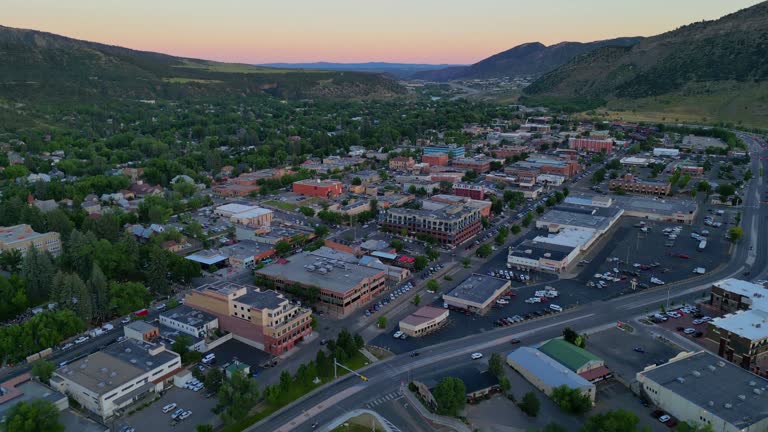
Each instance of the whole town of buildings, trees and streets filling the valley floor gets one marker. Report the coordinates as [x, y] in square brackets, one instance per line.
[527, 271]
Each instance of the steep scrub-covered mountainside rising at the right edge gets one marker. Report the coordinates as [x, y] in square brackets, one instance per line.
[707, 60]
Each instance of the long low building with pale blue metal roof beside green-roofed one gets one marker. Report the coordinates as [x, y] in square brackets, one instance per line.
[546, 374]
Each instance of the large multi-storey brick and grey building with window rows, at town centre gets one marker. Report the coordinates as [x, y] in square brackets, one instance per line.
[451, 225]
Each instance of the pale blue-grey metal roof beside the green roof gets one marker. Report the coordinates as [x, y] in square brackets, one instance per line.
[546, 369]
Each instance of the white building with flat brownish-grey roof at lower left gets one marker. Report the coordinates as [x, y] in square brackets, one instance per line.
[111, 380]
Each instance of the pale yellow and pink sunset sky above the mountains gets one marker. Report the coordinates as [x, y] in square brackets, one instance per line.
[408, 31]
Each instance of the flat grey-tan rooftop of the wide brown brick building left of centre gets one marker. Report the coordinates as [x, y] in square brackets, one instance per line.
[312, 270]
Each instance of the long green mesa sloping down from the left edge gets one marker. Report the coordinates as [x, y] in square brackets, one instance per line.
[45, 66]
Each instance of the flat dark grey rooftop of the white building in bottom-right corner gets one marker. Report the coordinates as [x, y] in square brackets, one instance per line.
[722, 388]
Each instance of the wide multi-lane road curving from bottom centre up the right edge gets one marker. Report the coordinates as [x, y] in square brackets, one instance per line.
[348, 393]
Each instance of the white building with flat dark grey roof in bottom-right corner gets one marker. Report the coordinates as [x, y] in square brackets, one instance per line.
[700, 388]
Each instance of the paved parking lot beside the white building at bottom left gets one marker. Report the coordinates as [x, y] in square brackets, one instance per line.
[153, 419]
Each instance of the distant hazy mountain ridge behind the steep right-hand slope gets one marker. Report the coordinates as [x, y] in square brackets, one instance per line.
[527, 59]
